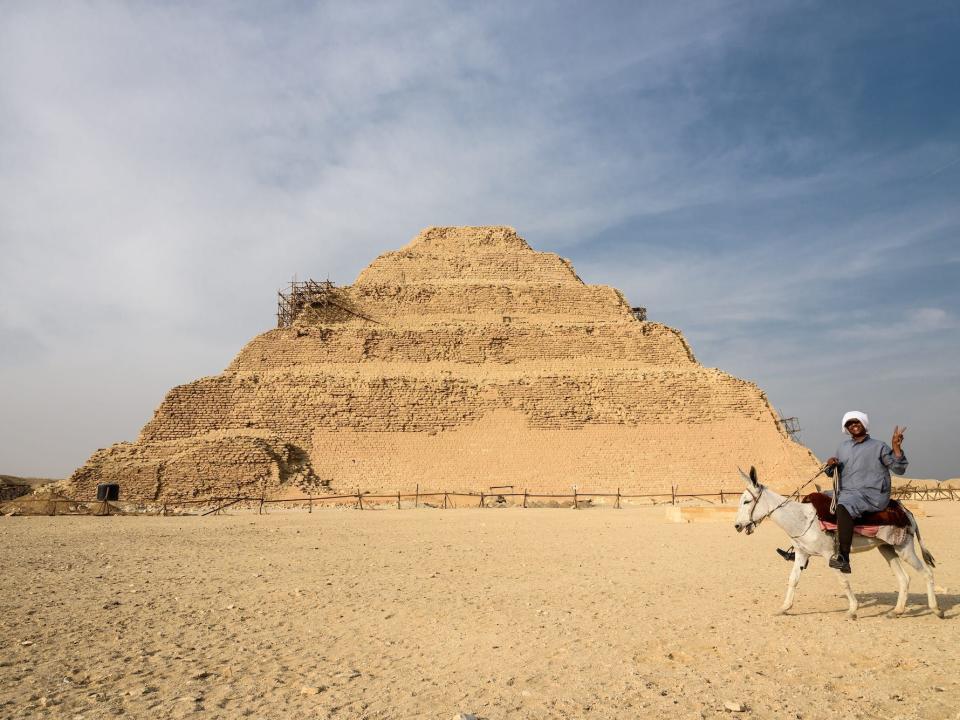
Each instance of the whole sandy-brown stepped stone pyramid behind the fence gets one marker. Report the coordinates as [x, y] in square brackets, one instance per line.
[464, 360]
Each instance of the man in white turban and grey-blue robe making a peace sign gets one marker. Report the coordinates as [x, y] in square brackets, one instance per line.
[862, 467]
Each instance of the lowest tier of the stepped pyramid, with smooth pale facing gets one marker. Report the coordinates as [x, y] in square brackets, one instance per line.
[499, 449]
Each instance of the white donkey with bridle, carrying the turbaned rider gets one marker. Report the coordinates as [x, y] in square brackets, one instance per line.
[799, 521]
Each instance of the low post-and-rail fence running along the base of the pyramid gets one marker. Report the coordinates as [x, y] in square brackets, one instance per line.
[448, 498]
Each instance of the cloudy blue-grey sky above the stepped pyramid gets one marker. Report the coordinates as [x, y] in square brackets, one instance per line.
[778, 180]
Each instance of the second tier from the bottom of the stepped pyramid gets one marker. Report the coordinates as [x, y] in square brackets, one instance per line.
[385, 398]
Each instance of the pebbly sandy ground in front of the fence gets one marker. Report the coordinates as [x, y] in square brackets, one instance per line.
[519, 613]
